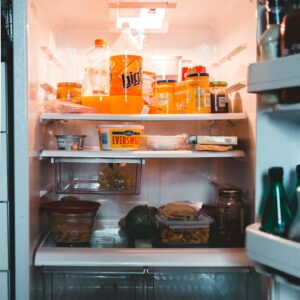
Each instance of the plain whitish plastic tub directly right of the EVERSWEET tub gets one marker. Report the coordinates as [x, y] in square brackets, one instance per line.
[165, 142]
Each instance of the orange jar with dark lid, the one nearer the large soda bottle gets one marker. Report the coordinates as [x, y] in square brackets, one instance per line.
[165, 96]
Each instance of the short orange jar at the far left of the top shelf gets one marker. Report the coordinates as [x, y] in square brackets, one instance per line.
[69, 91]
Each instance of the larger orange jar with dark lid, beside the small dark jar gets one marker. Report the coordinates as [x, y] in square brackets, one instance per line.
[198, 94]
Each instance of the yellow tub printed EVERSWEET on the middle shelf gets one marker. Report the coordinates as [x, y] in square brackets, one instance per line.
[120, 137]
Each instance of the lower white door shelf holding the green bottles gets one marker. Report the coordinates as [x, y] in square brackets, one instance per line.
[273, 251]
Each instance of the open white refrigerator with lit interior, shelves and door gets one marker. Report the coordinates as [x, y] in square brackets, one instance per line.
[50, 42]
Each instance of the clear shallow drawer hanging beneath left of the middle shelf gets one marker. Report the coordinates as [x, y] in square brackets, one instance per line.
[98, 176]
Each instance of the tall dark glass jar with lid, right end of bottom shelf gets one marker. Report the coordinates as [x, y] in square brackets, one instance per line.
[230, 218]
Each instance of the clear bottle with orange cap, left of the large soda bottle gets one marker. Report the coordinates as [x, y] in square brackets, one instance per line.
[97, 70]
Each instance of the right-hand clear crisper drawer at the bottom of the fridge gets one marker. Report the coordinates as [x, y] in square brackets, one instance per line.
[211, 283]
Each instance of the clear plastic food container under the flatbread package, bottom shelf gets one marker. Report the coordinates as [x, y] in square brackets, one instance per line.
[177, 233]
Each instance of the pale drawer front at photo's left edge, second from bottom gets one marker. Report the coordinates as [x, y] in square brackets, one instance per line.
[3, 236]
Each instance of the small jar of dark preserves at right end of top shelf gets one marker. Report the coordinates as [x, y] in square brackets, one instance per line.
[218, 97]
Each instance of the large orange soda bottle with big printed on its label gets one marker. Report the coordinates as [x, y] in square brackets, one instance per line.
[125, 75]
